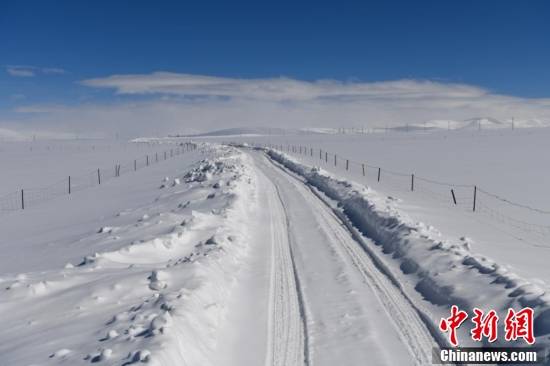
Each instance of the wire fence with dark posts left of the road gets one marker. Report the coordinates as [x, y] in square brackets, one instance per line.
[28, 197]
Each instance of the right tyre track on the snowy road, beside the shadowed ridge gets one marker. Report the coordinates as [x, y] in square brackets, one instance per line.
[407, 321]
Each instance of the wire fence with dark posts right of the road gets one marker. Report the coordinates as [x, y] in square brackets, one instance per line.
[529, 224]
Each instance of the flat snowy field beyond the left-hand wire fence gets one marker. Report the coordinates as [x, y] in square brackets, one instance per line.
[42, 168]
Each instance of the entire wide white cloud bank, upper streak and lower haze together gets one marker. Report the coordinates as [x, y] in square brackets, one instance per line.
[190, 103]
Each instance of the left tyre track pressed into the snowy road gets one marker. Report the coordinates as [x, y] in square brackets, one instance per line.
[287, 340]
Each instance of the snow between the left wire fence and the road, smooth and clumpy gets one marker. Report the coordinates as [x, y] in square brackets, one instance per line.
[149, 272]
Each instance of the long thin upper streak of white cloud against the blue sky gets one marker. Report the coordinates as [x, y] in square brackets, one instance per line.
[277, 89]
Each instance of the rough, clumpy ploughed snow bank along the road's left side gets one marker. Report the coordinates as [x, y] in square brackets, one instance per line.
[161, 298]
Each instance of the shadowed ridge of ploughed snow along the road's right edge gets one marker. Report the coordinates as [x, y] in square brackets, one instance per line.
[433, 273]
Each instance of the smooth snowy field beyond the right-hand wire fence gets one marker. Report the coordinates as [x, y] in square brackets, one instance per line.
[509, 163]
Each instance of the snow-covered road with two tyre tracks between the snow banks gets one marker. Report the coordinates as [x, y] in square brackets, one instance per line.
[328, 301]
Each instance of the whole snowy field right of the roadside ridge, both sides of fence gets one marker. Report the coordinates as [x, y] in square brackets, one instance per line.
[512, 218]
